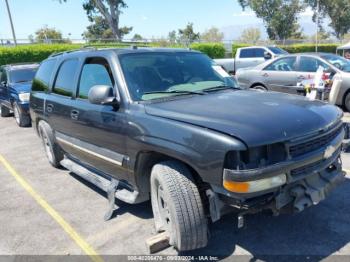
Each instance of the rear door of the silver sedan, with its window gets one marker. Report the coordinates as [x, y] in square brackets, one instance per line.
[281, 75]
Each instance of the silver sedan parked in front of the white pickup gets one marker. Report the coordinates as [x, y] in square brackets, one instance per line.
[283, 74]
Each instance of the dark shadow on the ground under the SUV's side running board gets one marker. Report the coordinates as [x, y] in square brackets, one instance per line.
[143, 210]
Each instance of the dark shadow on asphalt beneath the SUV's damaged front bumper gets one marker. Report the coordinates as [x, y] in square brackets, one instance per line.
[311, 235]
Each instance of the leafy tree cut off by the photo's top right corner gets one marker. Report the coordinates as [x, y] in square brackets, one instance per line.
[337, 10]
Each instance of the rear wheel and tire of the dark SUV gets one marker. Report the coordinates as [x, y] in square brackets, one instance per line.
[53, 152]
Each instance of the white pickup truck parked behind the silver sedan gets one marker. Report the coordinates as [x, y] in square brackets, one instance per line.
[250, 57]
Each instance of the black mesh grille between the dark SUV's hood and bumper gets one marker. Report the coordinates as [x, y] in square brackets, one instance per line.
[313, 144]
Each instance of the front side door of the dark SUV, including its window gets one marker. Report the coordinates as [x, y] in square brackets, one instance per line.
[97, 136]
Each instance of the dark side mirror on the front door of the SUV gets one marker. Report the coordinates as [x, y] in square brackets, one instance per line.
[103, 95]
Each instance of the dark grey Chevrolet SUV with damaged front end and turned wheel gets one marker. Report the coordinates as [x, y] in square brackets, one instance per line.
[172, 126]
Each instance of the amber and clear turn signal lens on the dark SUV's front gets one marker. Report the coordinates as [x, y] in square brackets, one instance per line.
[255, 186]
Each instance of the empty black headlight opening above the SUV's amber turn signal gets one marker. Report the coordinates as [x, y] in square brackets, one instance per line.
[257, 157]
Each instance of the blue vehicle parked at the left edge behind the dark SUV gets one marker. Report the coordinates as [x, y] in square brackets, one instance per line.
[15, 86]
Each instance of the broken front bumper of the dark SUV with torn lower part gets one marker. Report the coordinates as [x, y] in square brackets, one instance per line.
[309, 180]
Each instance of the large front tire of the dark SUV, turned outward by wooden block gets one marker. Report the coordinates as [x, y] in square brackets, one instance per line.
[177, 206]
